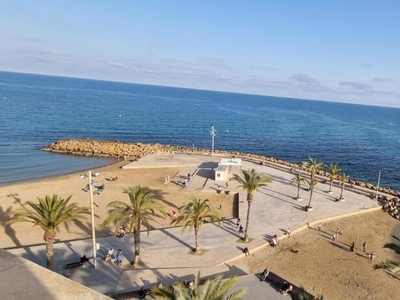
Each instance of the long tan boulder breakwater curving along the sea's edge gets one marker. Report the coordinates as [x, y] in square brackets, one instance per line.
[123, 150]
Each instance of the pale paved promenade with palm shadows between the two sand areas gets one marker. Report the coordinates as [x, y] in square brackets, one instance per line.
[166, 254]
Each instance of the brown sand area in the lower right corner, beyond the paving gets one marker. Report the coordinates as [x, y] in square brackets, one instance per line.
[314, 260]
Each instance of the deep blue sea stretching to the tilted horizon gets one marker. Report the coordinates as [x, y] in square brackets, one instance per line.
[37, 110]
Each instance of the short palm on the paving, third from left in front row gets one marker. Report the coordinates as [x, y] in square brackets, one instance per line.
[194, 214]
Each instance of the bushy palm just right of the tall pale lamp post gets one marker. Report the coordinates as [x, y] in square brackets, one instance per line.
[139, 211]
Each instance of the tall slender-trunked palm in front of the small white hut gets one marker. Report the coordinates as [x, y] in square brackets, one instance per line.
[250, 181]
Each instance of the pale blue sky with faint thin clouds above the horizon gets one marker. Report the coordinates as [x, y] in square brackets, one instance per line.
[345, 51]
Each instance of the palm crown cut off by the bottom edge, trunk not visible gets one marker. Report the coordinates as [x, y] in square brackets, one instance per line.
[212, 289]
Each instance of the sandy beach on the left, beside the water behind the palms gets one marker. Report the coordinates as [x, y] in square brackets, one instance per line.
[172, 195]
